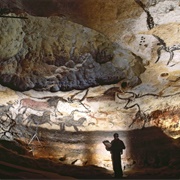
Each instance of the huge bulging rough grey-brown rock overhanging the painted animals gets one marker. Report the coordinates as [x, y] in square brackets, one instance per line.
[54, 54]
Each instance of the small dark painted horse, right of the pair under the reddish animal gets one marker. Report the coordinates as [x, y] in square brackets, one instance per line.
[69, 121]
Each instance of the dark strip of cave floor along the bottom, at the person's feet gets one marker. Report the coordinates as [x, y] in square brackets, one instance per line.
[10, 171]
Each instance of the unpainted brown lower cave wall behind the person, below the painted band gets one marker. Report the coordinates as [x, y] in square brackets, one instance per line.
[148, 147]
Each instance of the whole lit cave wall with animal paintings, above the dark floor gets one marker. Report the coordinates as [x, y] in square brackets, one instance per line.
[80, 71]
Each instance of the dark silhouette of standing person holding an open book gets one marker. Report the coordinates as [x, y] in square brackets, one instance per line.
[116, 150]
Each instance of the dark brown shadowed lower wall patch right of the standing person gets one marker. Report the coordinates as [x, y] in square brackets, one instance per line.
[150, 147]
